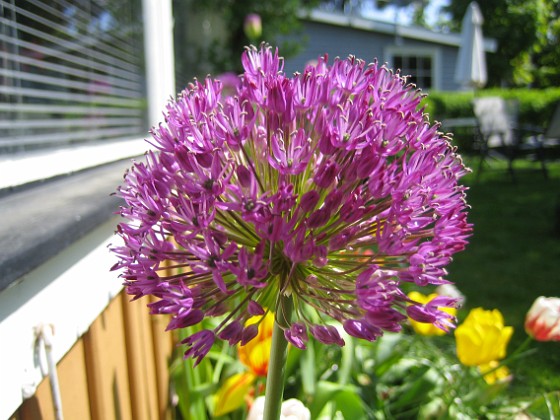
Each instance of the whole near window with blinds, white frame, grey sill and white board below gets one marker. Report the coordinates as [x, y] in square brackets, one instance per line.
[72, 86]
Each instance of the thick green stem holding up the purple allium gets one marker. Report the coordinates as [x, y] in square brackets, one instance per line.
[277, 362]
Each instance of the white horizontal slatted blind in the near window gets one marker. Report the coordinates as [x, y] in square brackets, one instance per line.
[70, 71]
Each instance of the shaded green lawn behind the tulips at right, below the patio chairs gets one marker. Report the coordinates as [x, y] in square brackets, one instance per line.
[513, 257]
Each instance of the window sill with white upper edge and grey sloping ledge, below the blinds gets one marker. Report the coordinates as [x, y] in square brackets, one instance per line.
[41, 218]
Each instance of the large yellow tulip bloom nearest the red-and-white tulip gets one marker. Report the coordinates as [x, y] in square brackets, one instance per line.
[482, 338]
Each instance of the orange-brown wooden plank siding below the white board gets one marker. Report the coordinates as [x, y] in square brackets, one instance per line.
[118, 370]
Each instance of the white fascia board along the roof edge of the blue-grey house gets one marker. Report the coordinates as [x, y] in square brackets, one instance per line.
[421, 34]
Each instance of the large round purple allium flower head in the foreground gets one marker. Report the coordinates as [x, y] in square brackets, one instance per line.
[330, 187]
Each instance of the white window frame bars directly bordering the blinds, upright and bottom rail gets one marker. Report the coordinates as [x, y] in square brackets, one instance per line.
[26, 167]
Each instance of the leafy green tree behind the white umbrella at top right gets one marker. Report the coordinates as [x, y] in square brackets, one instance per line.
[527, 32]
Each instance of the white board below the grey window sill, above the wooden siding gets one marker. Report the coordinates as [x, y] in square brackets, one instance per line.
[68, 292]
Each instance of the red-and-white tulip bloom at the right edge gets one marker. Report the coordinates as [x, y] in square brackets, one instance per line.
[543, 319]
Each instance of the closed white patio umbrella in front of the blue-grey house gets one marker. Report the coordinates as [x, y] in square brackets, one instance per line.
[471, 64]
